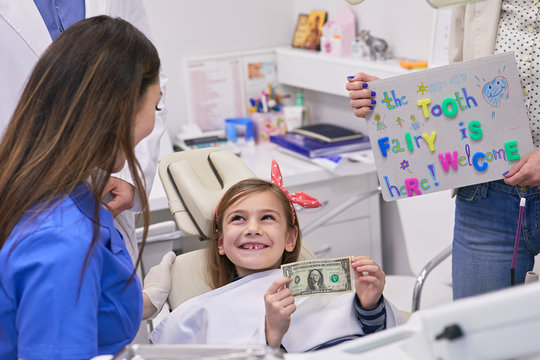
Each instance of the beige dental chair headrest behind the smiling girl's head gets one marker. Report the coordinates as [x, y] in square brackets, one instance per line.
[195, 180]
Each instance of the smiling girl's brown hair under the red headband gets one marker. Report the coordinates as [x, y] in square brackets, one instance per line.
[220, 270]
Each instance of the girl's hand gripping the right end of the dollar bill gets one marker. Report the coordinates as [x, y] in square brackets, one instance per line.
[369, 280]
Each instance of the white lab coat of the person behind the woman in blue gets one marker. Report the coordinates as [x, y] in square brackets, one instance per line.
[24, 37]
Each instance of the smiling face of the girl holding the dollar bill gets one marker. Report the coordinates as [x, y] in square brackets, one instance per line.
[255, 234]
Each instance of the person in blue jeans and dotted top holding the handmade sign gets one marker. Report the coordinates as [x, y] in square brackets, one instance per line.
[491, 216]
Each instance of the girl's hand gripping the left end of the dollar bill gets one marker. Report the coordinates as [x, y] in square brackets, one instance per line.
[279, 304]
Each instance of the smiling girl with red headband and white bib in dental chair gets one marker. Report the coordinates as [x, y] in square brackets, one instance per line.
[256, 231]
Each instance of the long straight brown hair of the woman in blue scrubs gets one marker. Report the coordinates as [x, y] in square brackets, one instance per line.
[74, 117]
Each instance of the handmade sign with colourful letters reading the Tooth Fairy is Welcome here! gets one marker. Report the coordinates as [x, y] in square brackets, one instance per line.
[447, 127]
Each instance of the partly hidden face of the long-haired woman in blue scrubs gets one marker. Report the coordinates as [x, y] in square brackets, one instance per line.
[145, 118]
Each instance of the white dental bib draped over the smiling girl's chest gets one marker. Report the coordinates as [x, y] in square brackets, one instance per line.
[235, 314]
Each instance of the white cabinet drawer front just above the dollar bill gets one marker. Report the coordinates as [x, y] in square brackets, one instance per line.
[349, 238]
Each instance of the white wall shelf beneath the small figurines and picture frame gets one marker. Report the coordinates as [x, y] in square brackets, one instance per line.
[325, 73]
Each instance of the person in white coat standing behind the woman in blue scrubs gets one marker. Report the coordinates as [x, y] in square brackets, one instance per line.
[28, 27]
